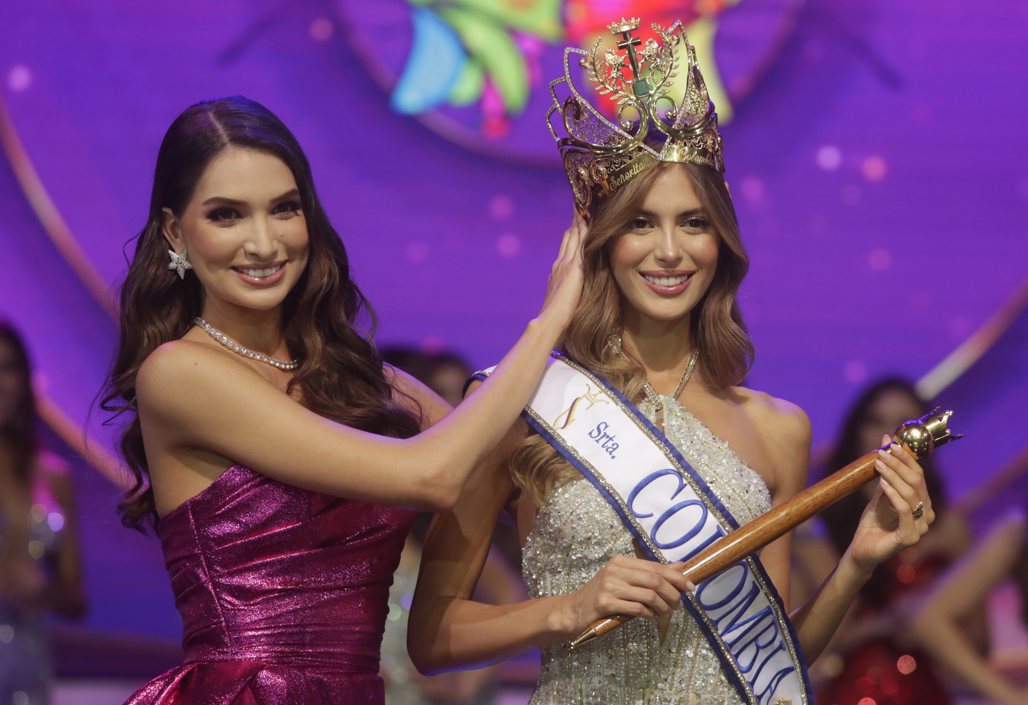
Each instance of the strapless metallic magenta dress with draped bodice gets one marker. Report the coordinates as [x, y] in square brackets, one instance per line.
[283, 596]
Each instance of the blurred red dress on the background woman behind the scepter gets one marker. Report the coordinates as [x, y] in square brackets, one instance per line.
[880, 672]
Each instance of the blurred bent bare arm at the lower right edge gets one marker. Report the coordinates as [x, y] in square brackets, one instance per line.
[938, 626]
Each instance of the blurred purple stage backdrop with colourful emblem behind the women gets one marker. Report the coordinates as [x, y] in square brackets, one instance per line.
[877, 154]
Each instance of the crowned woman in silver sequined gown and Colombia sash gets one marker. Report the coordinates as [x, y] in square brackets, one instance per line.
[639, 449]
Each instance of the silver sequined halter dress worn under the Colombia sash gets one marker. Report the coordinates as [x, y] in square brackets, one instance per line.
[577, 533]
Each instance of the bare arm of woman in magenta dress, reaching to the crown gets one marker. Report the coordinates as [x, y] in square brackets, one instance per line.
[198, 404]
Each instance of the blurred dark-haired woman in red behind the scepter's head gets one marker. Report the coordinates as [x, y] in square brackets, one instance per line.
[870, 656]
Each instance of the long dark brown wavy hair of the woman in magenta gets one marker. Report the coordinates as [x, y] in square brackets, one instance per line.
[341, 374]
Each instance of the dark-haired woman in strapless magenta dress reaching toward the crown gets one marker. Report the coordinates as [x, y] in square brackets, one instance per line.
[255, 405]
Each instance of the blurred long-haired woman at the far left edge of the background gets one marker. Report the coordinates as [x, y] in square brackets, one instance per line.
[41, 568]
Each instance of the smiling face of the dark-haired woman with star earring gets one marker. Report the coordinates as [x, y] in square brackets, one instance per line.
[244, 231]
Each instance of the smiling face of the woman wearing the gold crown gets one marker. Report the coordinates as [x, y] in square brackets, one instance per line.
[666, 258]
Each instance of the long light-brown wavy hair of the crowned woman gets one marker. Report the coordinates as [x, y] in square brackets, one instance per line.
[717, 329]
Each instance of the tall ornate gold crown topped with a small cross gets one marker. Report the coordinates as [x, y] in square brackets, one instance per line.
[602, 156]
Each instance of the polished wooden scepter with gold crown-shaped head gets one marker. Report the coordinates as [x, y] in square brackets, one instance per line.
[921, 437]
